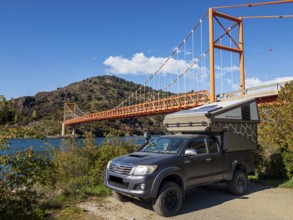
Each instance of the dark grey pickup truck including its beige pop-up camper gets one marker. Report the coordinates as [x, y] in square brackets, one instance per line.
[210, 144]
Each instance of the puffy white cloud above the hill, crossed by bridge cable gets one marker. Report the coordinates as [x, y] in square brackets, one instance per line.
[139, 64]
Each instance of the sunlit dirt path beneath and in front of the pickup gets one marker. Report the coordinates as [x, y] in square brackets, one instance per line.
[210, 202]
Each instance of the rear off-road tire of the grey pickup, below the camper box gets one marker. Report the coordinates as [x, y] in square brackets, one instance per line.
[238, 184]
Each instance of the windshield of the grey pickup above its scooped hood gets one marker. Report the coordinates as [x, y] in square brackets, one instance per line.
[164, 145]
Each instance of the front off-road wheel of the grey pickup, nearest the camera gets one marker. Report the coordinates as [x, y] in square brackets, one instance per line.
[169, 199]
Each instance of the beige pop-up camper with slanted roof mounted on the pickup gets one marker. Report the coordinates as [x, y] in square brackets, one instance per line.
[235, 119]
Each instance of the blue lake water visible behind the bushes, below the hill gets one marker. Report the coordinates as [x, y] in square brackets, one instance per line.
[39, 146]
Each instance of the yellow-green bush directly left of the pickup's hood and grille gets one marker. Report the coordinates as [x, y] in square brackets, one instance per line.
[80, 167]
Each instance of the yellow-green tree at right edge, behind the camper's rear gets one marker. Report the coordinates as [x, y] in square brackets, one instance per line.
[276, 135]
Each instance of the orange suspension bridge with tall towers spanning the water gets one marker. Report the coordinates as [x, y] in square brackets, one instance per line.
[188, 63]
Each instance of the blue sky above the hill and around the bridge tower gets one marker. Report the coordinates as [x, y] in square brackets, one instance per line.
[51, 43]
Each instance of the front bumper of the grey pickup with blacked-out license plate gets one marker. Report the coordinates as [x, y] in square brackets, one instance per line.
[133, 186]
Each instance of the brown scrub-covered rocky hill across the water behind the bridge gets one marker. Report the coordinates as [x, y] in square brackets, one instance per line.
[44, 111]
